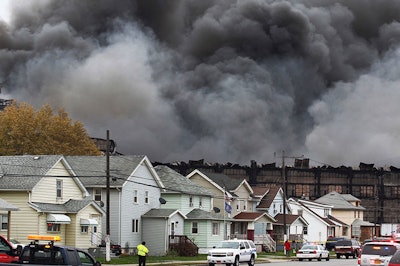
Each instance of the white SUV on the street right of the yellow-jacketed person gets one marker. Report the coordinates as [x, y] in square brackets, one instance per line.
[233, 252]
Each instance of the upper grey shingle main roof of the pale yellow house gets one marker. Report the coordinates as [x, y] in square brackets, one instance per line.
[24, 172]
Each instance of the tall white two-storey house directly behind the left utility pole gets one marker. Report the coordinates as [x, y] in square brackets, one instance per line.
[135, 188]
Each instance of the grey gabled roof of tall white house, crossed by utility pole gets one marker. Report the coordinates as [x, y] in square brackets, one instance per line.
[92, 169]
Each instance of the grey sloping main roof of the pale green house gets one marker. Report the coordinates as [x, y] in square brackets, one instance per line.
[174, 182]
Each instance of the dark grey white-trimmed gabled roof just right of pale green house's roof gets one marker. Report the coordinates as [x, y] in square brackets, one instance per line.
[223, 182]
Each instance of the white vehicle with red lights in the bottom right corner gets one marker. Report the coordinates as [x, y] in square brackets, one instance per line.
[377, 253]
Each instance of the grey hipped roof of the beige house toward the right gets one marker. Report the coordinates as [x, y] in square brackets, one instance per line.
[340, 201]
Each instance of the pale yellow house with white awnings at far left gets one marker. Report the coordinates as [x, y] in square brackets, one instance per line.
[51, 201]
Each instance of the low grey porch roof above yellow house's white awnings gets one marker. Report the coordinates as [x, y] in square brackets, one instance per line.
[71, 206]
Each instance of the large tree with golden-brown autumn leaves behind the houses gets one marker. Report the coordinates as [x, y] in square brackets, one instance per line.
[26, 131]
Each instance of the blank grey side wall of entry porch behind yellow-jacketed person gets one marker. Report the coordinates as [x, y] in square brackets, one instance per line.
[156, 235]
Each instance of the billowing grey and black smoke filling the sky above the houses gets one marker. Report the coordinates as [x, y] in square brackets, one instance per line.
[223, 81]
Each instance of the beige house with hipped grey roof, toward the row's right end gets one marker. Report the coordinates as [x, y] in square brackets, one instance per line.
[347, 209]
